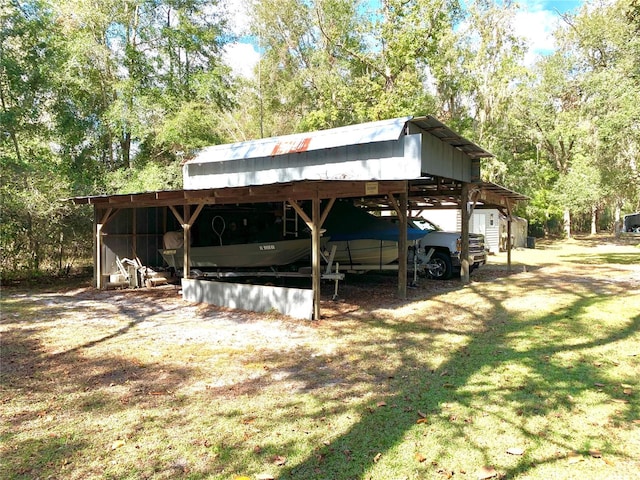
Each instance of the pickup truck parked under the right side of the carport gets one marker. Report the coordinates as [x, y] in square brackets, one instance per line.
[445, 261]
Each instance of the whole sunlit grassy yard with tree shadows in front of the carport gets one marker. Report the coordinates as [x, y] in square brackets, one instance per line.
[530, 373]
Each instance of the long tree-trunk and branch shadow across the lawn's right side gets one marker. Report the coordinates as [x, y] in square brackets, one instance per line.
[547, 388]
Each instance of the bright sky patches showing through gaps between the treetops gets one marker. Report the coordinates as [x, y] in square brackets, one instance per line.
[535, 22]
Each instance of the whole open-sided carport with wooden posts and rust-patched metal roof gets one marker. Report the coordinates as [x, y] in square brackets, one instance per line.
[405, 164]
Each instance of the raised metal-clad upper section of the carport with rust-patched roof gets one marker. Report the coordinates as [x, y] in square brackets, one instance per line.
[370, 151]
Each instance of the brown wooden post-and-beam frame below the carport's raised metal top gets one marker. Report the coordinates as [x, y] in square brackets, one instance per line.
[143, 218]
